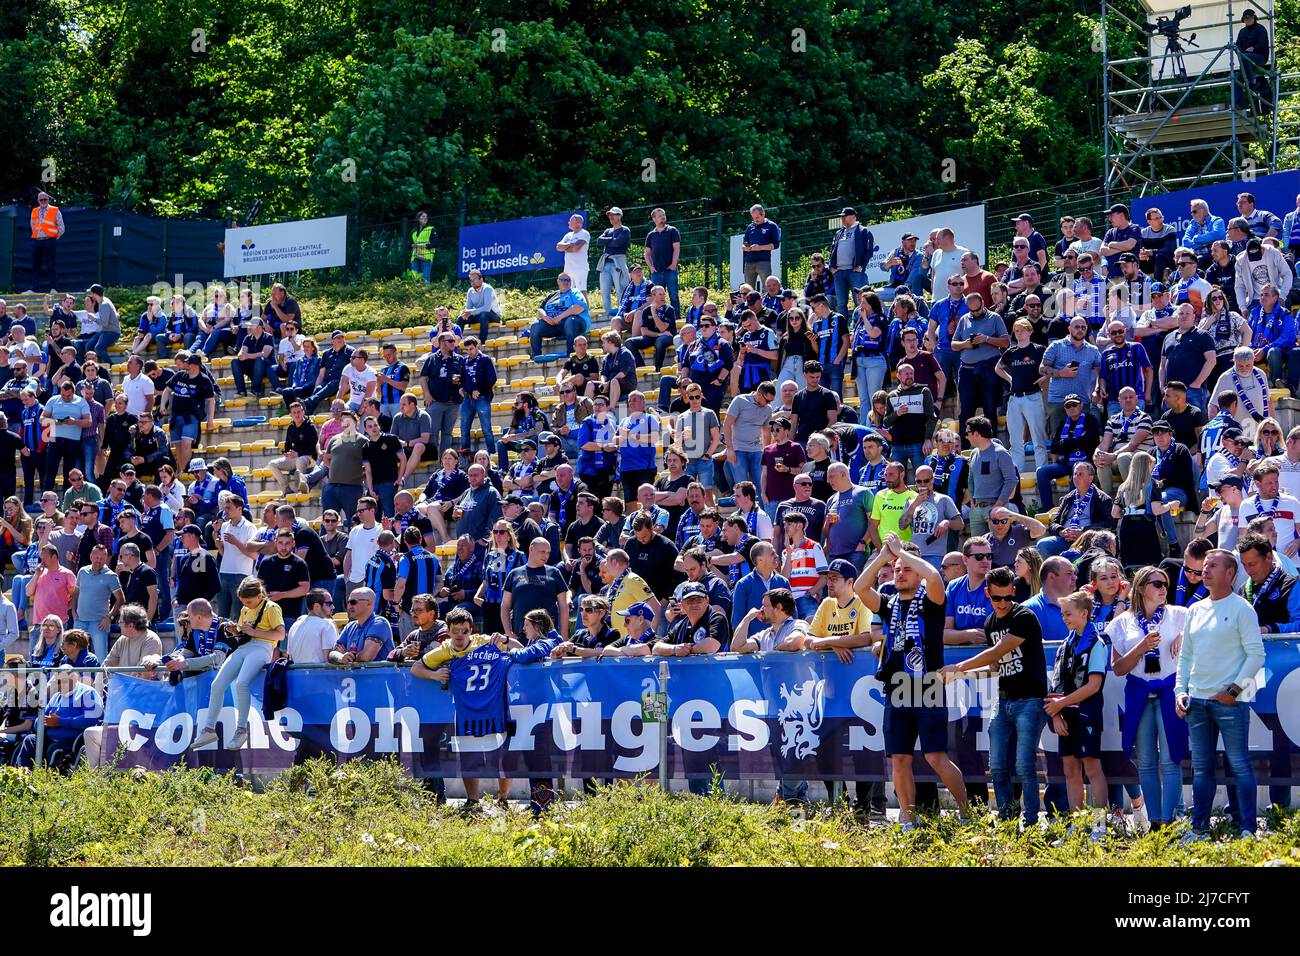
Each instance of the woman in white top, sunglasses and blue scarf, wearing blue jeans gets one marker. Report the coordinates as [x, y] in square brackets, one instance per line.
[1145, 642]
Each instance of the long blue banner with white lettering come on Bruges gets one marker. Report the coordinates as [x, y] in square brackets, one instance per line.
[800, 716]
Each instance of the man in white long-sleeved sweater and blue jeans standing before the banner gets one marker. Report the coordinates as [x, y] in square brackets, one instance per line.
[1221, 656]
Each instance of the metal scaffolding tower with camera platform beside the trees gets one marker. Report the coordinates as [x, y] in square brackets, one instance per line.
[1158, 106]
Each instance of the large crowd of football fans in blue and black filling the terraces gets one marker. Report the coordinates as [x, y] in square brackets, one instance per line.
[731, 503]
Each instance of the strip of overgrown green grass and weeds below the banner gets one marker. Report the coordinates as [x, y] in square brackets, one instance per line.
[370, 814]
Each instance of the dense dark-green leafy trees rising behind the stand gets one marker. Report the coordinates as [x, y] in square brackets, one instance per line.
[197, 107]
